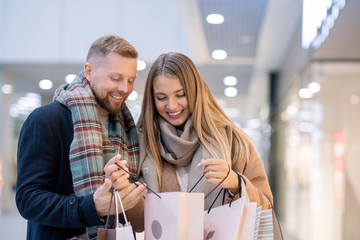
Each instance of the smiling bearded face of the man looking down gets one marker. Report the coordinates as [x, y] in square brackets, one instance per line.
[112, 80]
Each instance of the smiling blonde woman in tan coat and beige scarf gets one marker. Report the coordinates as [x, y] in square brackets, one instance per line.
[185, 134]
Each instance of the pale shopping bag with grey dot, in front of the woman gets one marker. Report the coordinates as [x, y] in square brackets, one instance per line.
[176, 215]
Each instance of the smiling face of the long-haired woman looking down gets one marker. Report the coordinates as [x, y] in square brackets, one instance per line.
[170, 100]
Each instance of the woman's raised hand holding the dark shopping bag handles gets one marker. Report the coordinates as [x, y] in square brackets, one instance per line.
[215, 170]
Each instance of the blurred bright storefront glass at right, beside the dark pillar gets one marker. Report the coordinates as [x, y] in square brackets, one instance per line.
[317, 143]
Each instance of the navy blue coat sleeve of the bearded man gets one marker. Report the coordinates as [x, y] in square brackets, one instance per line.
[44, 192]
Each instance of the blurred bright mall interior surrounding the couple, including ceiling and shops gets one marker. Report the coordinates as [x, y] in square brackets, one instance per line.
[286, 71]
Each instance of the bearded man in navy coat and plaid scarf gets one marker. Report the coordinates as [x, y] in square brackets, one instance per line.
[68, 149]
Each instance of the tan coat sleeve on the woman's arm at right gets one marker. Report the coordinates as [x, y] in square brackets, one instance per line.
[254, 175]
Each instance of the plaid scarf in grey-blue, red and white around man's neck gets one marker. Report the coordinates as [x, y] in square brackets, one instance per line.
[91, 147]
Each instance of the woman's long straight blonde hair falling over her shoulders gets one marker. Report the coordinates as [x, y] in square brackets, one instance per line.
[209, 120]
